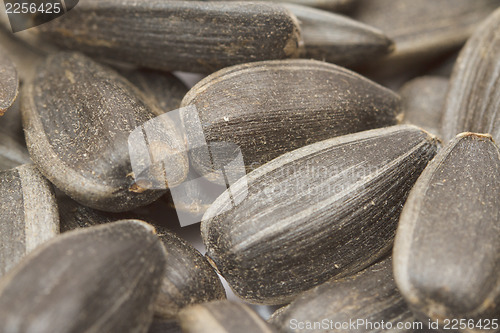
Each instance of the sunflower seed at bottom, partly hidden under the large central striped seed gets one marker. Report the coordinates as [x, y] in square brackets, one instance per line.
[370, 295]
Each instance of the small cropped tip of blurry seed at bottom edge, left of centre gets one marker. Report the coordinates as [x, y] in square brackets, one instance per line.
[222, 317]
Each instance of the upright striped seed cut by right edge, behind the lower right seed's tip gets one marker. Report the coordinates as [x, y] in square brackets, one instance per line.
[474, 94]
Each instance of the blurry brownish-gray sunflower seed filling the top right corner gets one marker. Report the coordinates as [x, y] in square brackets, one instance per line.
[422, 30]
